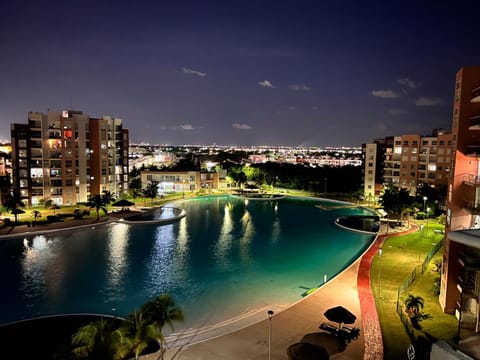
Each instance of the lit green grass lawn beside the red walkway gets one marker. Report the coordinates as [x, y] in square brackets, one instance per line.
[400, 256]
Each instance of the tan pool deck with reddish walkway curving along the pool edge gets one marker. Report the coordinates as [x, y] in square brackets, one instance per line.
[248, 338]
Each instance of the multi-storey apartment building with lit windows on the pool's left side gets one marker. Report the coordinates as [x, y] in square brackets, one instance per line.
[67, 156]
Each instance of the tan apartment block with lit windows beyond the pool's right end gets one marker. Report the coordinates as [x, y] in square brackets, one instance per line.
[408, 161]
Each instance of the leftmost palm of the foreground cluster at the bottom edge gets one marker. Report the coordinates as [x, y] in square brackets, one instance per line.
[96, 340]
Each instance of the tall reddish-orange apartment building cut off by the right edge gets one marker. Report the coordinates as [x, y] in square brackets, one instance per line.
[460, 278]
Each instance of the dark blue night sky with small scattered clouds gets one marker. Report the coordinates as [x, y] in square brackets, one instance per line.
[320, 73]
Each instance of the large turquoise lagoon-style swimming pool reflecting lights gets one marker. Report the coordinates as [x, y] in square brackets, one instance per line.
[226, 257]
